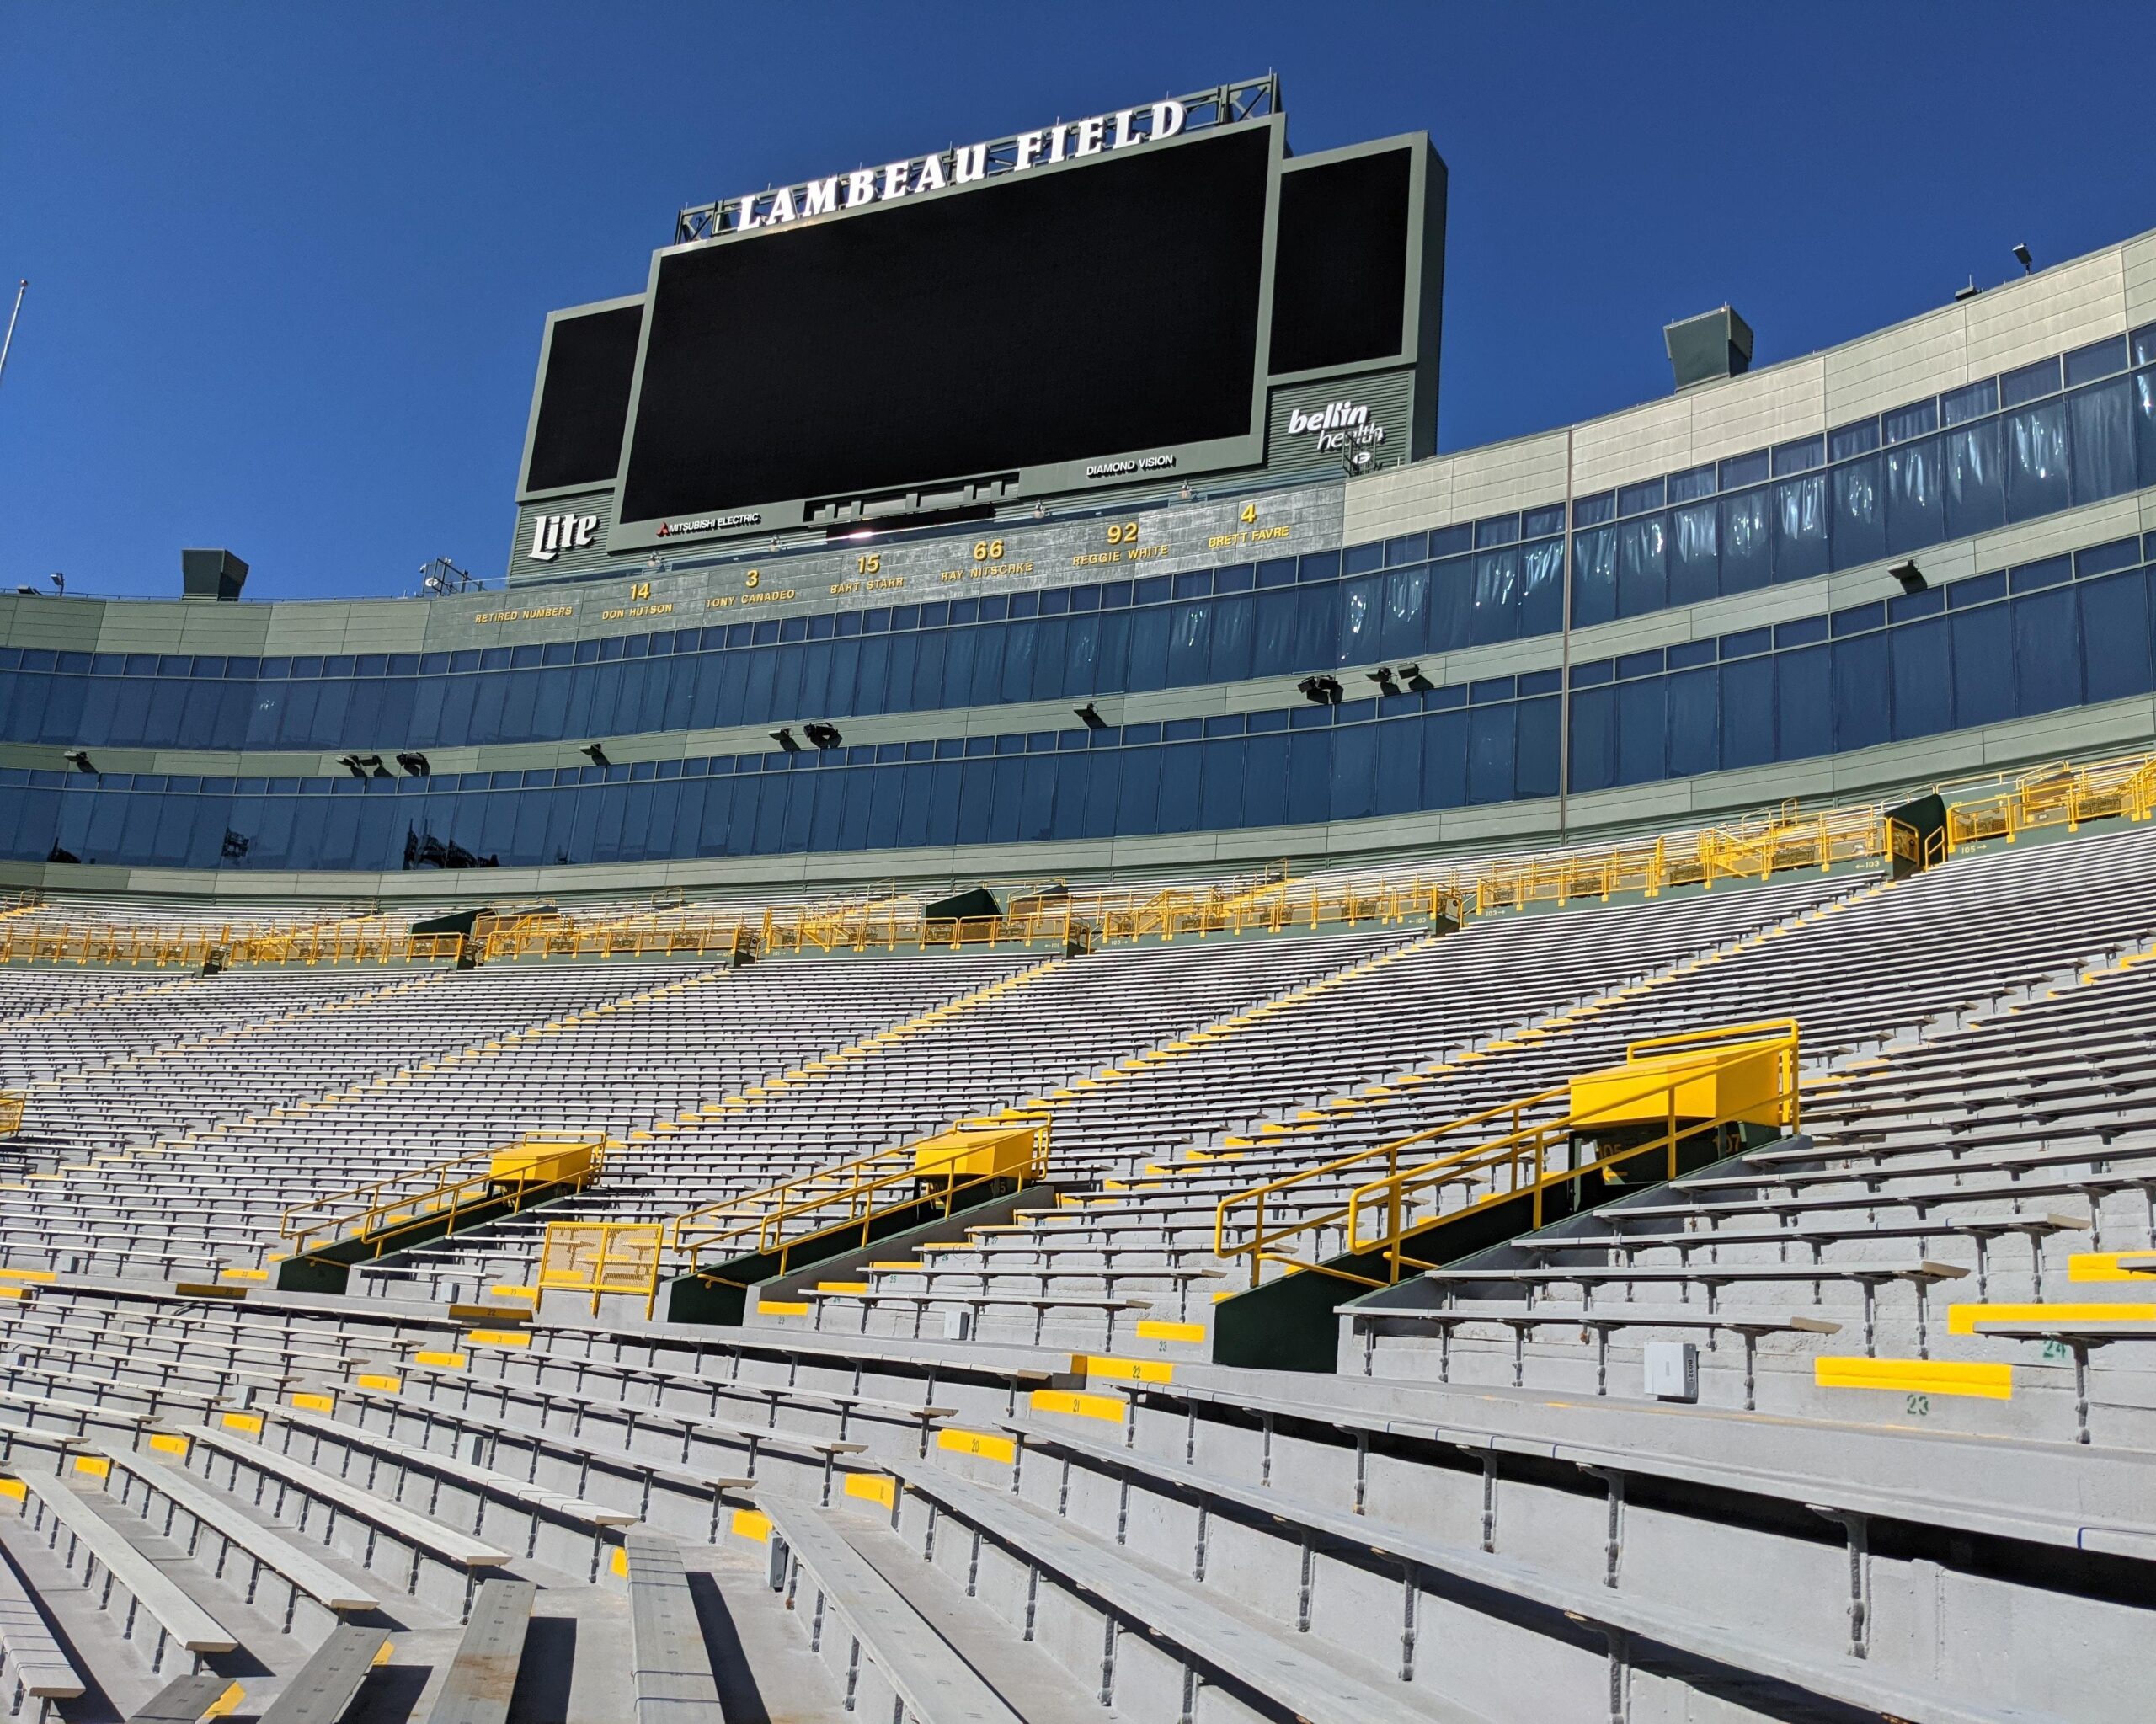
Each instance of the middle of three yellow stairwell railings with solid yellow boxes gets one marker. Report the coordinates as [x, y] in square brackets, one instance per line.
[853, 1195]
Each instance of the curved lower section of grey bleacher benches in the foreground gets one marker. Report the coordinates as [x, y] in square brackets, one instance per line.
[973, 1527]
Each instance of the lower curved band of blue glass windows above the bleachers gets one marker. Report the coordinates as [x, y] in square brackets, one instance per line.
[2002, 645]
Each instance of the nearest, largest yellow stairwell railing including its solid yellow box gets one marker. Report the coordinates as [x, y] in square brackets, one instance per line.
[1668, 1092]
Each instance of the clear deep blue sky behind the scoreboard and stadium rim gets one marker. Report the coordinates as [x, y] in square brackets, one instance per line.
[288, 264]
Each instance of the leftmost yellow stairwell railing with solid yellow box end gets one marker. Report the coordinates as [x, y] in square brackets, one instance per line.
[497, 1180]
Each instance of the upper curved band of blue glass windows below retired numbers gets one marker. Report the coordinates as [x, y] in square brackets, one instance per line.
[2051, 436]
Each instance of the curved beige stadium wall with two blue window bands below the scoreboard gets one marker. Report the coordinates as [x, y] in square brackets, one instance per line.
[1584, 499]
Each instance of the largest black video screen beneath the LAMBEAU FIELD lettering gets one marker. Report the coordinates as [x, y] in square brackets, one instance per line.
[1045, 318]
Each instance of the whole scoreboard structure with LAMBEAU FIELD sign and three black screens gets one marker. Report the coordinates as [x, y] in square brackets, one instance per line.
[1090, 316]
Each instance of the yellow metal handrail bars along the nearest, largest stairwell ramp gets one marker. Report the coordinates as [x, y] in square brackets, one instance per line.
[1521, 1152]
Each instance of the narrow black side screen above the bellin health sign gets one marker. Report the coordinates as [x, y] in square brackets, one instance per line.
[1340, 273]
